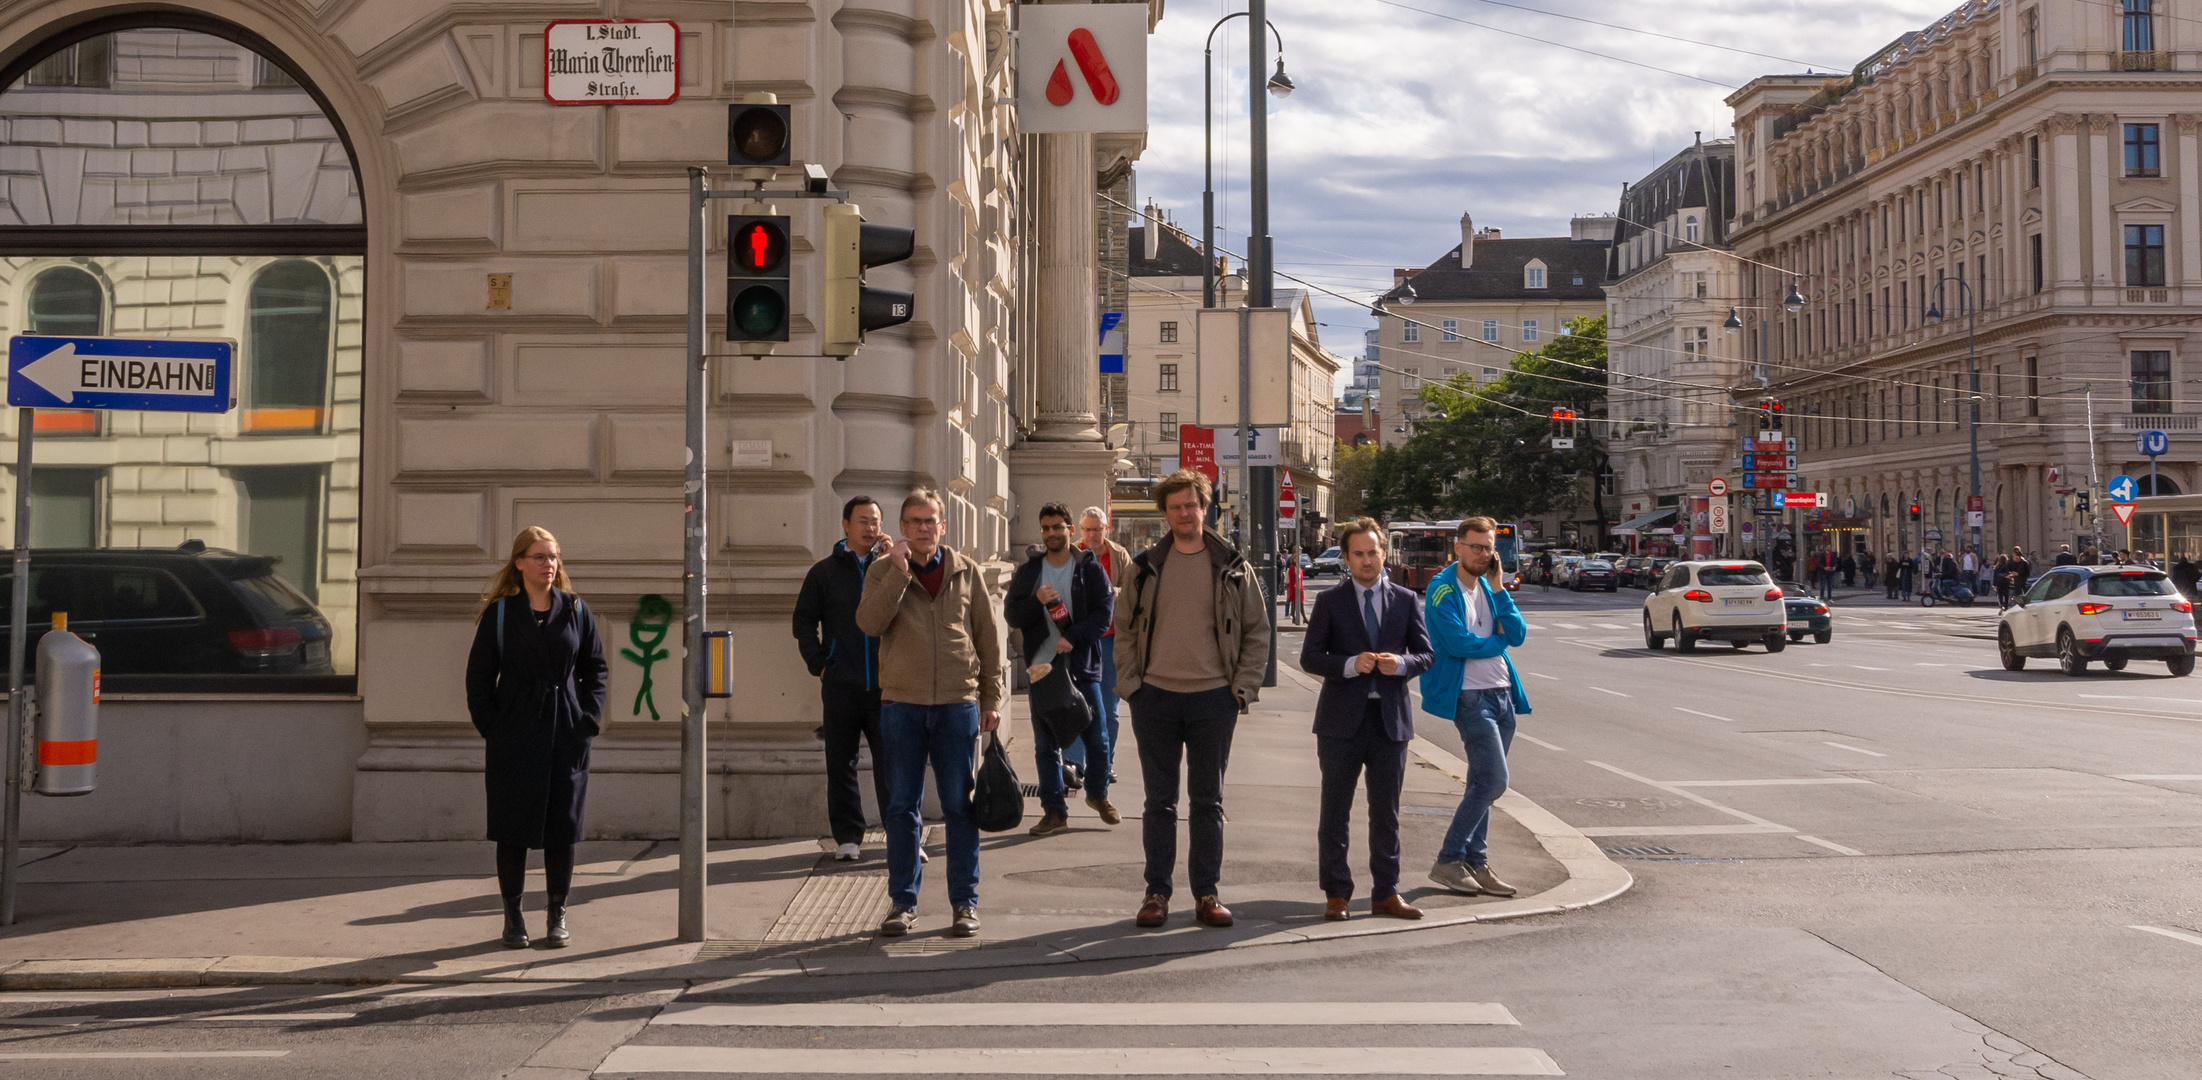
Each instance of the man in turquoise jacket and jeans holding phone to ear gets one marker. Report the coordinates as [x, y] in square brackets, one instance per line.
[1472, 623]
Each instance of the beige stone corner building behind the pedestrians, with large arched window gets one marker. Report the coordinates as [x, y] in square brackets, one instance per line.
[505, 343]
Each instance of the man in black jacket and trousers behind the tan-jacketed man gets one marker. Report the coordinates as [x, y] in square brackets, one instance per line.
[844, 660]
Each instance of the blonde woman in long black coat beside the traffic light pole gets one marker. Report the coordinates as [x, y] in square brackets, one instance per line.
[536, 693]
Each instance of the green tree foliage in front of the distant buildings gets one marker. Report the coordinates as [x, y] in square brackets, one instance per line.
[1487, 449]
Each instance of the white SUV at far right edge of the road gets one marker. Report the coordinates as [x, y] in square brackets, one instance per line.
[2108, 614]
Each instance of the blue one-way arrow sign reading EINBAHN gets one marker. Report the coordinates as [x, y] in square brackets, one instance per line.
[131, 374]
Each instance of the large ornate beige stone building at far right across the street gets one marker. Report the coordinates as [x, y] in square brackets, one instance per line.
[2034, 166]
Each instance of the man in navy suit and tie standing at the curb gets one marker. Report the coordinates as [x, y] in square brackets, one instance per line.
[1364, 640]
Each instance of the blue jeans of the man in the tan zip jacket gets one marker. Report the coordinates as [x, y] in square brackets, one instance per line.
[946, 737]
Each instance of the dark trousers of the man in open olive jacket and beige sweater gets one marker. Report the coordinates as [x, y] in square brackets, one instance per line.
[1195, 728]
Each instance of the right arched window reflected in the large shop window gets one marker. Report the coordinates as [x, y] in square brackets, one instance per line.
[290, 345]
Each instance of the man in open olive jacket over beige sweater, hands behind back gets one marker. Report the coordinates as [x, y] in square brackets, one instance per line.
[1192, 645]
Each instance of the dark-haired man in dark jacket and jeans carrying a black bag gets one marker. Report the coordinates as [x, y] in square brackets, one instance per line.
[1062, 603]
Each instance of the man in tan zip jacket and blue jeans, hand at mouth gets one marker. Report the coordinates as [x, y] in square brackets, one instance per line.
[939, 687]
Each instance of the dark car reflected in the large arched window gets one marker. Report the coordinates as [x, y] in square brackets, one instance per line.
[177, 612]
